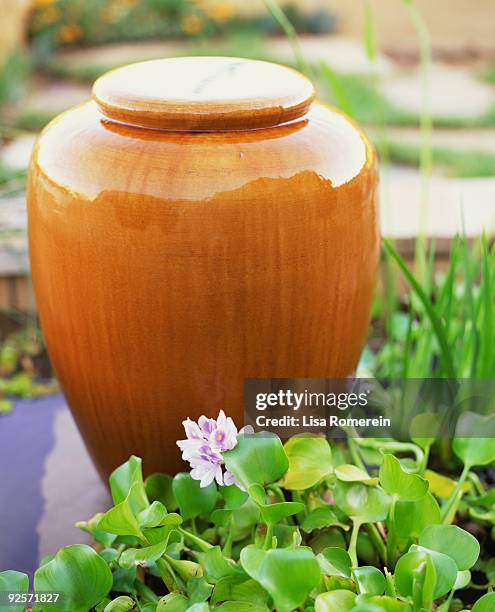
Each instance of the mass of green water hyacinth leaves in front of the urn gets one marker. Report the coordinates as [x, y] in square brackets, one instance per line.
[310, 525]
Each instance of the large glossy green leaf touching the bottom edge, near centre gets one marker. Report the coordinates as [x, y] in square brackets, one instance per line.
[288, 574]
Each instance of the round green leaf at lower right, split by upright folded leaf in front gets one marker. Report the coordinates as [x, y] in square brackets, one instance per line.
[416, 559]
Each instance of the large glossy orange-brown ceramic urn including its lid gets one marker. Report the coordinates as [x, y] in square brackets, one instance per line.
[171, 264]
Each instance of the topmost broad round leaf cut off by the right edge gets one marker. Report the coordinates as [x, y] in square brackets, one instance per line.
[478, 449]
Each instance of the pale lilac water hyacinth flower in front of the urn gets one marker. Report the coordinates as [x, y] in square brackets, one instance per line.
[206, 441]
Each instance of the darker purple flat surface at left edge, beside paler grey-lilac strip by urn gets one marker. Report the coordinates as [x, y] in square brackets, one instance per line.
[26, 438]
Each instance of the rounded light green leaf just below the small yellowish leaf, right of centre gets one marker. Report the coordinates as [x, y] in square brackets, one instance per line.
[362, 503]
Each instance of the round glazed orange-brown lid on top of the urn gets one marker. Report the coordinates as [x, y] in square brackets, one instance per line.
[203, 94]
